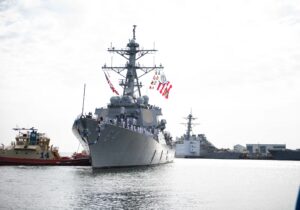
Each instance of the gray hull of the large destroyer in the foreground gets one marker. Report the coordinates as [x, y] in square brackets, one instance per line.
[115, 146]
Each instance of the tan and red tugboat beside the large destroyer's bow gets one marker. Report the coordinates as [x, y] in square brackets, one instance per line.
[32, 148]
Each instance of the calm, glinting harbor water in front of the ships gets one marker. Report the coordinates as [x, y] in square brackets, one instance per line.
[184, 184]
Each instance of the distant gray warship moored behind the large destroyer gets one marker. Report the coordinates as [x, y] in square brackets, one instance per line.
[197, 146]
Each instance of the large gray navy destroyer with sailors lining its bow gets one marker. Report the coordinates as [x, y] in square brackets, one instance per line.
[129, 131]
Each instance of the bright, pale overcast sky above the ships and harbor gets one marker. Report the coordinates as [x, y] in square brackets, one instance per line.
[236, 64]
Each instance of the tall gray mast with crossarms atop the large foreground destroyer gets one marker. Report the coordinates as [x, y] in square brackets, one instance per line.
[132, 53]
